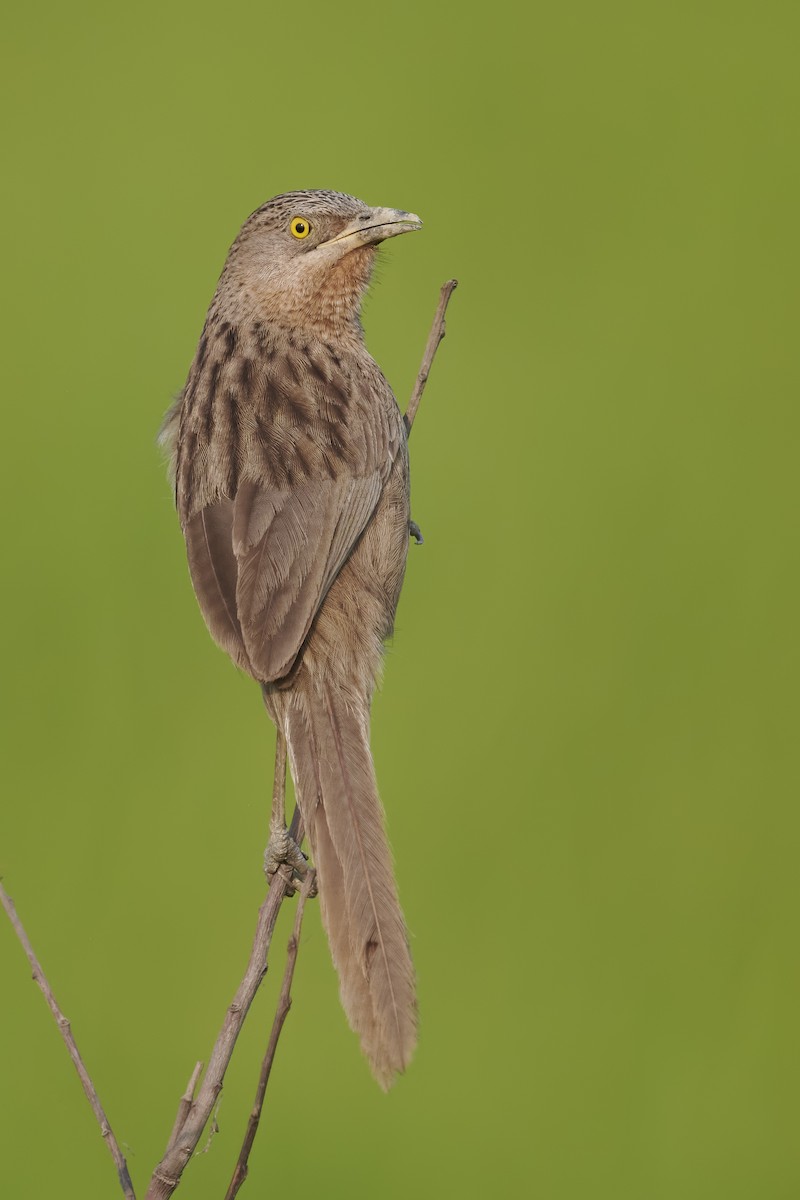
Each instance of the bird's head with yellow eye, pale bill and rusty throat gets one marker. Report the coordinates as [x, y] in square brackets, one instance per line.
[304, 260]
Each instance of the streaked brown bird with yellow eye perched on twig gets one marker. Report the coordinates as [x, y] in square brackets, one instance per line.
[290, 463]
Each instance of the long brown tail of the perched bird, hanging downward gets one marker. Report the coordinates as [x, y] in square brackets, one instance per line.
[335, 782]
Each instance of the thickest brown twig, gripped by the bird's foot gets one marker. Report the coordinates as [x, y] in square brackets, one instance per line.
[167, 1175]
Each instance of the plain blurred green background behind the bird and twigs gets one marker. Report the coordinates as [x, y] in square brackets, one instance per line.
[588, 734]
